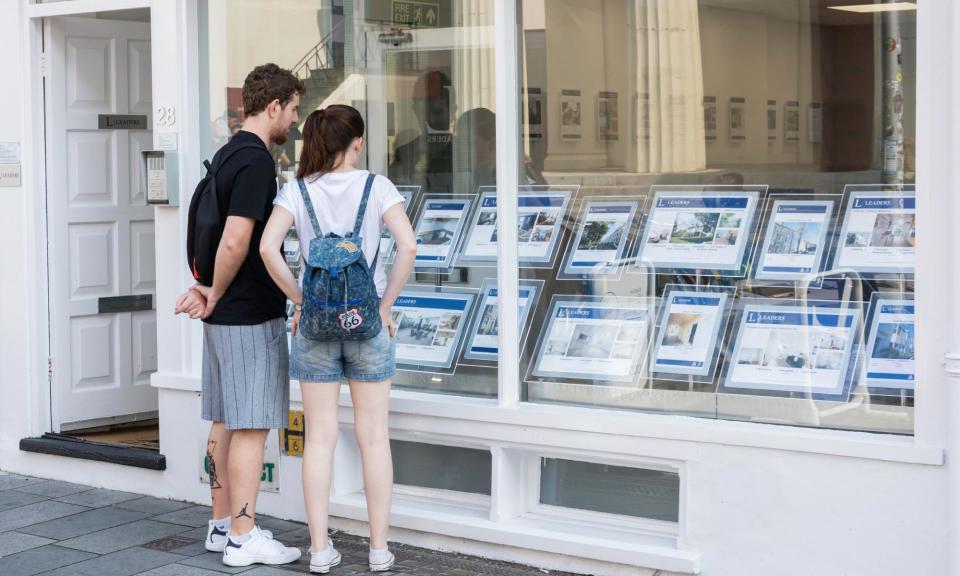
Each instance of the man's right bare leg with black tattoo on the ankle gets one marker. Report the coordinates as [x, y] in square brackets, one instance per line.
[245, 463]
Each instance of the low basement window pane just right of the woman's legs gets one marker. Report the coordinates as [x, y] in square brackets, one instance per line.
[441, 467]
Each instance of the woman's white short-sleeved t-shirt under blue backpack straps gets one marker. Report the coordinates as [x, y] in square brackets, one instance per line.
[336, 199]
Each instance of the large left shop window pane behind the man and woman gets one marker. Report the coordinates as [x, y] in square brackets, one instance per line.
[422, 76]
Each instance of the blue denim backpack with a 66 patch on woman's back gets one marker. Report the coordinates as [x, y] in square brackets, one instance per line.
[340, 300]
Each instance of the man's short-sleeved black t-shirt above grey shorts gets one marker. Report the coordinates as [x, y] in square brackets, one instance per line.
[246, 186]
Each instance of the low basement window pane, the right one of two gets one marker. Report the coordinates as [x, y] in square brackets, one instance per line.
[611, 489]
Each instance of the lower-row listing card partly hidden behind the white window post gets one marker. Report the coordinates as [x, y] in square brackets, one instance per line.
[483, 343]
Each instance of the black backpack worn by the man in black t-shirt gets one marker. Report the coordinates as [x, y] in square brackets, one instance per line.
[207, 218]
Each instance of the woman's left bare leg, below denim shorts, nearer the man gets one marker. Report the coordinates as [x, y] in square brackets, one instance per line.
[320, 402]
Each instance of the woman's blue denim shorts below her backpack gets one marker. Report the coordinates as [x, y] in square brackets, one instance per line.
[370, 360]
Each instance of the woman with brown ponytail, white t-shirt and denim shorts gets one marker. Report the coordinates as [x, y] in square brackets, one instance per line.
[332, 141]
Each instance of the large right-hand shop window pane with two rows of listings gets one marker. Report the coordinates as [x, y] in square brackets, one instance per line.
[740, 239]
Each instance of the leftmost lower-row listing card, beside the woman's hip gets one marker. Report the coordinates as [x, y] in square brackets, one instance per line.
[430, 326]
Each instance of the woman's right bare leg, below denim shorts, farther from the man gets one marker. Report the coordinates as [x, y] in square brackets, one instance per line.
[371, 408]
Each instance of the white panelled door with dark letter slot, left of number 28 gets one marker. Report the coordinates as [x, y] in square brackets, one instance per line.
[103, 348]
